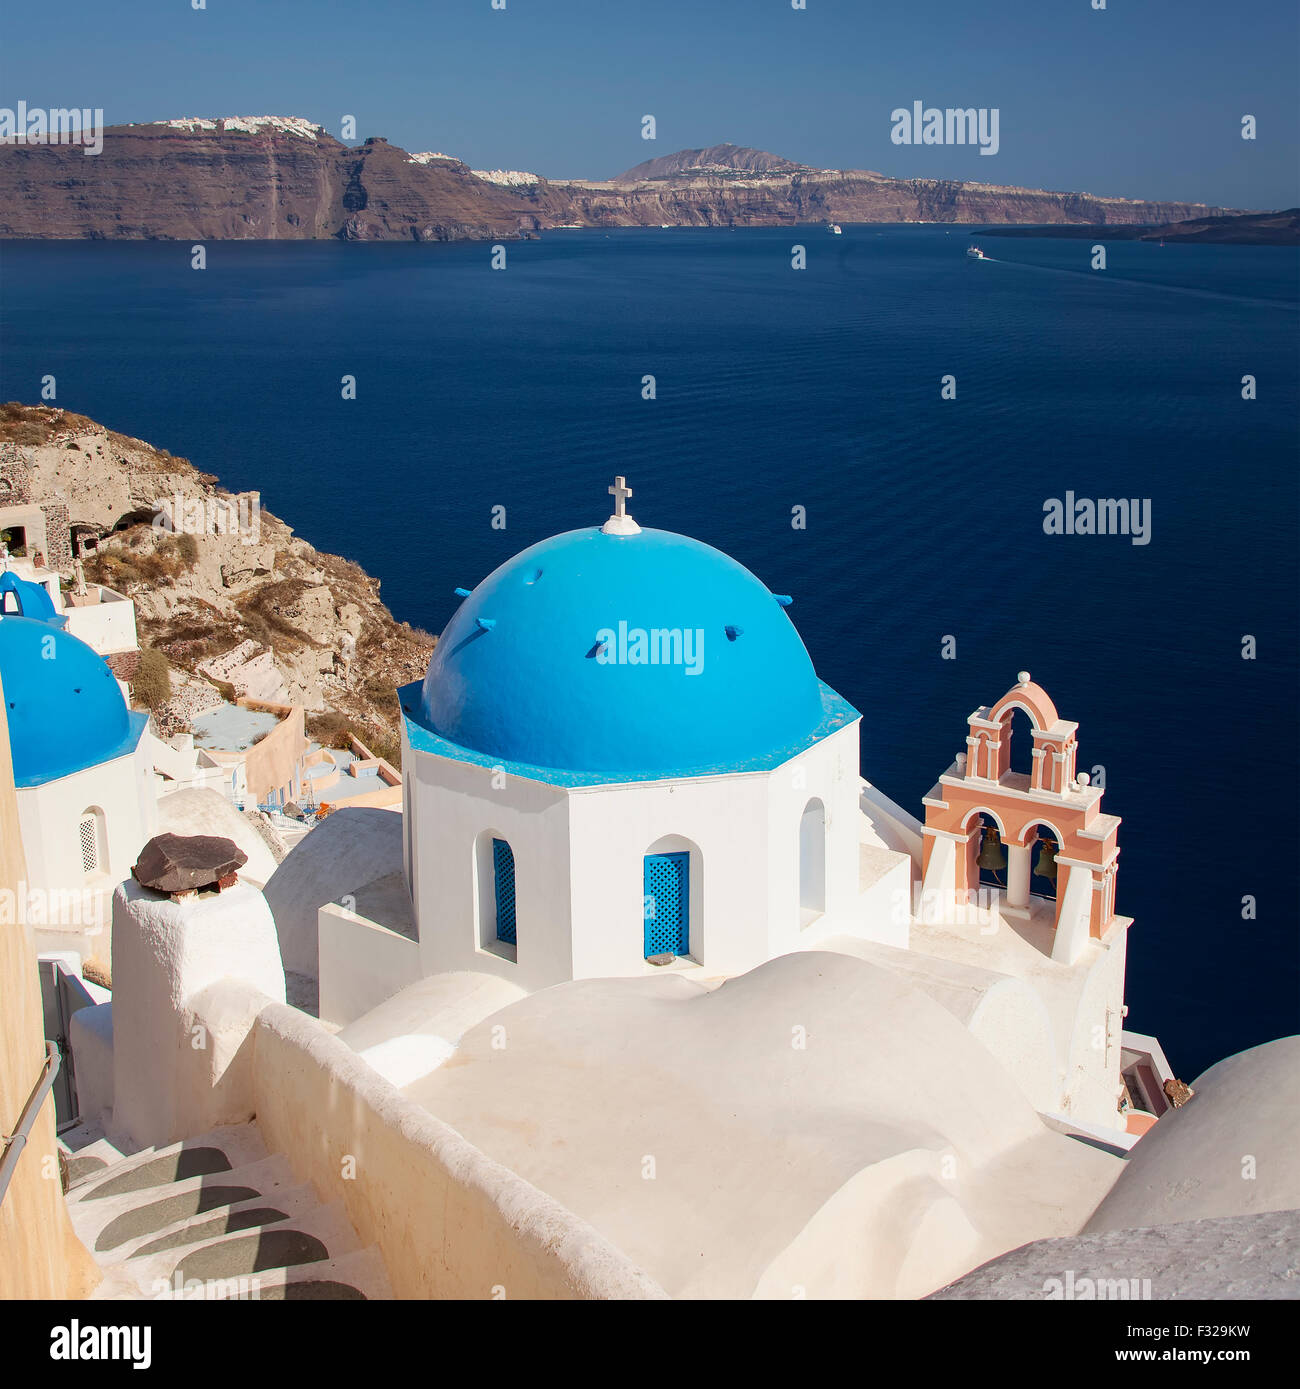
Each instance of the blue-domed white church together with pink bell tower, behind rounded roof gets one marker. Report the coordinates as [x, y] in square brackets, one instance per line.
[622, 765]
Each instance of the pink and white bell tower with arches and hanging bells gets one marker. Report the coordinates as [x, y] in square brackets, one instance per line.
[1052, 797]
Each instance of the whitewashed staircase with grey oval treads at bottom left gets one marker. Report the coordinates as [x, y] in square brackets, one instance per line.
[213, 1217]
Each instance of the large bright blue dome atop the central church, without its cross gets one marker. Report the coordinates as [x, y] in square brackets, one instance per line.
[627, 656]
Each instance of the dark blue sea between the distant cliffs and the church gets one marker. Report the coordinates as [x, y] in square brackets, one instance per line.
[820, 390]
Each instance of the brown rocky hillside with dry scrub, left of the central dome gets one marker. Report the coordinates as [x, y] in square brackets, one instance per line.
[226, 592]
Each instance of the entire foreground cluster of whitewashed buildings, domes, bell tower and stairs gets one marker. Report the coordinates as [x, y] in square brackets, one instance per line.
[627, 985]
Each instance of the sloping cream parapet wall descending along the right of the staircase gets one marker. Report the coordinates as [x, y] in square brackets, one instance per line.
[449, 1222]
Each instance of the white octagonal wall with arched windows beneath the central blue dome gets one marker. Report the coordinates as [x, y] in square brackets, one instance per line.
[580, 859]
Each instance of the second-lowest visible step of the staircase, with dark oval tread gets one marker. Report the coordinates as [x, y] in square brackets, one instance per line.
[316, 1238]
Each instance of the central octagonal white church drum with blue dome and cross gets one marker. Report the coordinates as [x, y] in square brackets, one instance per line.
[622, 754]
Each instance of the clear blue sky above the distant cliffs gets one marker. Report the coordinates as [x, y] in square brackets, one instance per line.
[1142, 99]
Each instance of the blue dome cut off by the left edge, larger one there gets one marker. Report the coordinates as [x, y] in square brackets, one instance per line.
[65, 708]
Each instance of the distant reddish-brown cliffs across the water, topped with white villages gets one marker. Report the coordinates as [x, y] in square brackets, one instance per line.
[283, 178]
